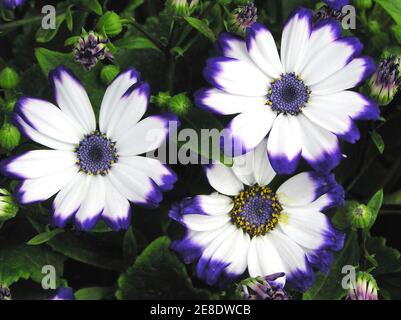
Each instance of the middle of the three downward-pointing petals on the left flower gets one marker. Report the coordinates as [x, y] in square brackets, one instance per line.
[93, 204]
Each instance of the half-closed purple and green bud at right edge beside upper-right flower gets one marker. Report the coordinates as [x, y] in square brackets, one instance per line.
[386, 80]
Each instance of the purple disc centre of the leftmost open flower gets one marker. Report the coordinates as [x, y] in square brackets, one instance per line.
[96, 154]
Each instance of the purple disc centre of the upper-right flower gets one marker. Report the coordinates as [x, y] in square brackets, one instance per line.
[288, 94]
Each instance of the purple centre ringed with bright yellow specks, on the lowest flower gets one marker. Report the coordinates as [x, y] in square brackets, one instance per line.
[256, 210]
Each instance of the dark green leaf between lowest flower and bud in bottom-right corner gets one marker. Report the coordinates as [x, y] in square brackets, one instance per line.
[328, 287]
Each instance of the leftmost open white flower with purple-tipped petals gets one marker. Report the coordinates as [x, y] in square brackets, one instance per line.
[95, 173]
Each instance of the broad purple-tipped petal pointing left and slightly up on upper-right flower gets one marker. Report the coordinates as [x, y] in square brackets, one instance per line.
[236, 77]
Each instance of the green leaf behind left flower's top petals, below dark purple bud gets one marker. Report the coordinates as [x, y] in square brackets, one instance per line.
[49, 60]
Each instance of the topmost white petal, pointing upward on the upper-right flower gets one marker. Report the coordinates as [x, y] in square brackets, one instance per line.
[295, 40]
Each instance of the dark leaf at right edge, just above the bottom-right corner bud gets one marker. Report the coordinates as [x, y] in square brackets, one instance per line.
[387, 258]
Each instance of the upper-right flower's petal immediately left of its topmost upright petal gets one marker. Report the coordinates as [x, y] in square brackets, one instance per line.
[263, 50]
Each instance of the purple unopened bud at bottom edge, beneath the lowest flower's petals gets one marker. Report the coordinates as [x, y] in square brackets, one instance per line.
[263, 288]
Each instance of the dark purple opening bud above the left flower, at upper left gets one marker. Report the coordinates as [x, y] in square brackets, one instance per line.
[90, 49]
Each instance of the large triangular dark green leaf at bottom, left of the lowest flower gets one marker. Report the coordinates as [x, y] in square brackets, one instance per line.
[157, 274]
